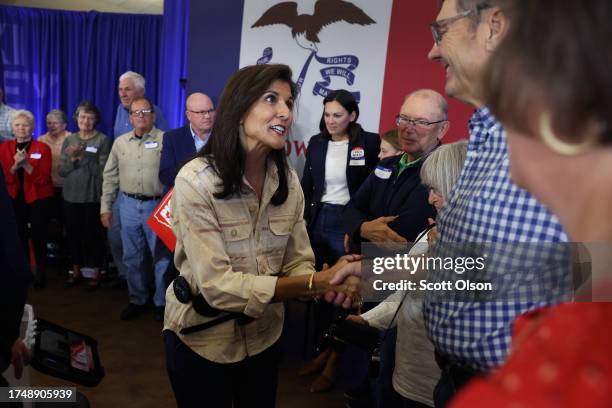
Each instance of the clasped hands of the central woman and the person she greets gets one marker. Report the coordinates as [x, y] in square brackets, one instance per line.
[342, 282]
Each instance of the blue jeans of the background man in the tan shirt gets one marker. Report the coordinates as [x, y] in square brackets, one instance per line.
[136, 236]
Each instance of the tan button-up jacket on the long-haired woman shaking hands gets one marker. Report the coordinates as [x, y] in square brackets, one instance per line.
[233, 251]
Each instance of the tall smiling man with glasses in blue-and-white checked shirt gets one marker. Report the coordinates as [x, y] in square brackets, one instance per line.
[473, 338]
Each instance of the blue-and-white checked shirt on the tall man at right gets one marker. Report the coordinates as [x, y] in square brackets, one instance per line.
[486, 207]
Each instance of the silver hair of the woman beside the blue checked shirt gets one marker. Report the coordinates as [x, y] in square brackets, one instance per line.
[442, 167]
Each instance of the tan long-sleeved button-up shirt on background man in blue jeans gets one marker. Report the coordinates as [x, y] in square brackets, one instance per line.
[132, 167]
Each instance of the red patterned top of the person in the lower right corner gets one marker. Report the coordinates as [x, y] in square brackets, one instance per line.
[562, 357]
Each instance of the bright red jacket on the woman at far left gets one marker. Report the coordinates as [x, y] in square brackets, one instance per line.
[36, 185]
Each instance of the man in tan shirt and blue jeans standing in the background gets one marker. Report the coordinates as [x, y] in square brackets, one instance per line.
[131, 180]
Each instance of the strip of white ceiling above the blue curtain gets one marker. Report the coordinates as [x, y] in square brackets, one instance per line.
[115, 6]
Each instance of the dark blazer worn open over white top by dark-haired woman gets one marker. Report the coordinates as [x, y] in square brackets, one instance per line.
[313, 179]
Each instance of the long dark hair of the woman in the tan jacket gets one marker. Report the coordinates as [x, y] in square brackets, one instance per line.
[224, 148]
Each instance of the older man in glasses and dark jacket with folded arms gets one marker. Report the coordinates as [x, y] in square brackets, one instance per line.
[391, 205]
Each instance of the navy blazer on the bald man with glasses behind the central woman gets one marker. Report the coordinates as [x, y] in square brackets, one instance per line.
[177, 149]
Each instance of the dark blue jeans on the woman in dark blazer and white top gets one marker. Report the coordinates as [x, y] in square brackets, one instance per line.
[327, 235]
